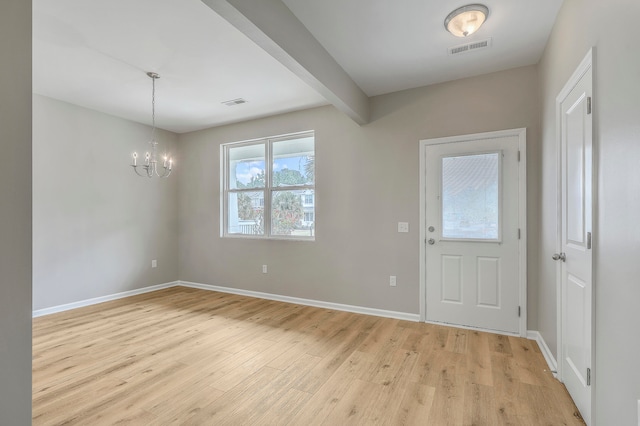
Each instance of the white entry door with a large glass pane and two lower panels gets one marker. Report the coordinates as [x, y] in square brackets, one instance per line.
[473, 231]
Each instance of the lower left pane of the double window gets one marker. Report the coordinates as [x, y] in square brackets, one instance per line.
[246, 213]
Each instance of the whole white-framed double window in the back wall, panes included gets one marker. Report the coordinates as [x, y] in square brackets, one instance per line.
[268, 188]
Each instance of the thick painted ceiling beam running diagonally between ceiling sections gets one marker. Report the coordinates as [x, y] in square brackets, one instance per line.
[273, 27]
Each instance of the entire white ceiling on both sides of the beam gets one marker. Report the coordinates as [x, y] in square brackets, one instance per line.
[96, 54]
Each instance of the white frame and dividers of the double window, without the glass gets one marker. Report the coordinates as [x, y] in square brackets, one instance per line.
[268, 189]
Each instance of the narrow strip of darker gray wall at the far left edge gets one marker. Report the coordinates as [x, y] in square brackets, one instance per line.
[15, 212]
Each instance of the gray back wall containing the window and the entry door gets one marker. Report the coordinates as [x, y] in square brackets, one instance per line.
[367, 181]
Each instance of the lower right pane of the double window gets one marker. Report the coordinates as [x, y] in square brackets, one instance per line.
[290, 215]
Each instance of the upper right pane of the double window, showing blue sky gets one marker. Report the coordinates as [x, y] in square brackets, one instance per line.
[293, 162]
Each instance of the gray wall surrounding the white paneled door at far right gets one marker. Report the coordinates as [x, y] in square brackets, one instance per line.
[611, 27]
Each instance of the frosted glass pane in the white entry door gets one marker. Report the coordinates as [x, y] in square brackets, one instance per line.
[470, 196]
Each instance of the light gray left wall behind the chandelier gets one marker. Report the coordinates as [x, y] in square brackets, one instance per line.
[96, 225]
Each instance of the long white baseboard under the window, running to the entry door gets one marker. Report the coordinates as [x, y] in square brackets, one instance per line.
[307, 302]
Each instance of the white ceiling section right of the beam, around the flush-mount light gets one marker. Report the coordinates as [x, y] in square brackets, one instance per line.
[391, 45]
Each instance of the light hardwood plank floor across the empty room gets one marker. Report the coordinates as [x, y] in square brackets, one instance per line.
[193, 357]
